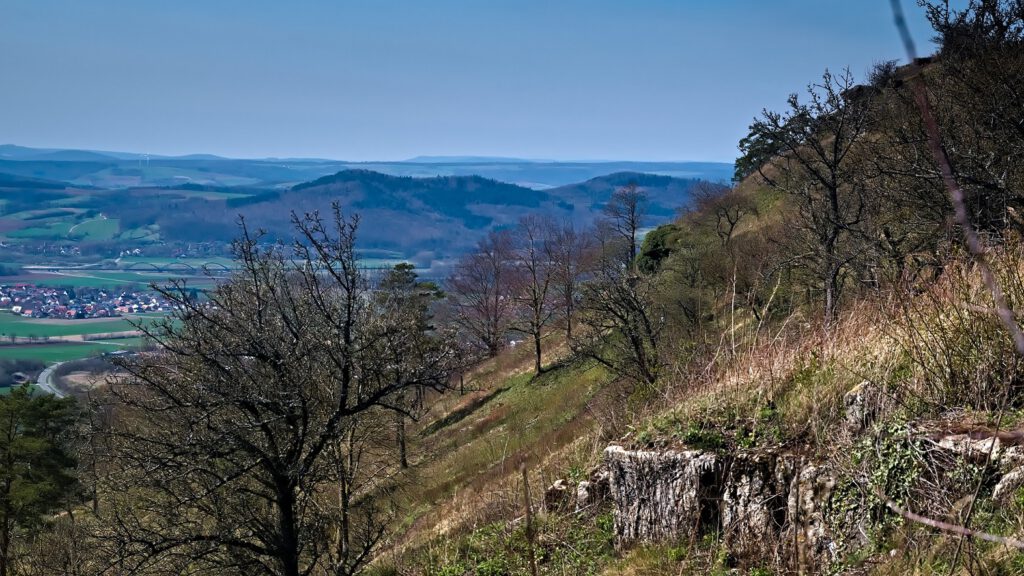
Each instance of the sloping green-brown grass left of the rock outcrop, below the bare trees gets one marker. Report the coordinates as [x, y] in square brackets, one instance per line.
[466, 466]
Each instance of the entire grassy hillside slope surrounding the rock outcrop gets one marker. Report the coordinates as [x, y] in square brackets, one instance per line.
[783, 388]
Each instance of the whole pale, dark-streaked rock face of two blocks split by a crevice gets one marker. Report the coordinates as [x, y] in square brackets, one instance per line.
[764, 505]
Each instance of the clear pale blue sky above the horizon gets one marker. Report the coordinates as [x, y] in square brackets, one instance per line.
[392, 79]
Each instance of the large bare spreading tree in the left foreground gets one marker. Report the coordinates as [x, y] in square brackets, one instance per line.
[255, 441]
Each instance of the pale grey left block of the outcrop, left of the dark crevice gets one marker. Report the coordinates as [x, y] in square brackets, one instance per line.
[664, 496]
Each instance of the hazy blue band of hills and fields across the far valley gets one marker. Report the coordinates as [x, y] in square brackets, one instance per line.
[424, 220]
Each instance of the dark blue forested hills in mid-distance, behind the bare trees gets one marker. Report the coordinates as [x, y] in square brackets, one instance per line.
[450, 214]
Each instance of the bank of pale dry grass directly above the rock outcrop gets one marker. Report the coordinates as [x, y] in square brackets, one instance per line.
[794, 378]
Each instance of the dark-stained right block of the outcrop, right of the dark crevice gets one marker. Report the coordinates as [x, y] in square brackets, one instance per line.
[755, 503]
